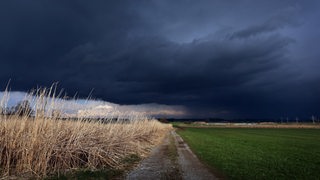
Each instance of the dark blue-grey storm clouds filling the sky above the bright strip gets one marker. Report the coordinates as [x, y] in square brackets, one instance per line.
[214, 58]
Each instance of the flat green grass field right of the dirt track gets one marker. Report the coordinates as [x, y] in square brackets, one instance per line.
[257, 153]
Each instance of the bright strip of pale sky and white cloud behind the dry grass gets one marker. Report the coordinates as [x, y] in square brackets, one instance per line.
[90, 108]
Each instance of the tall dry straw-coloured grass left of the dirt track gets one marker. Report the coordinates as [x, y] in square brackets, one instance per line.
[41, 145]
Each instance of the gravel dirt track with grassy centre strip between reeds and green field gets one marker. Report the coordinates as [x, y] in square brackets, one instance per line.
[172, 159]
